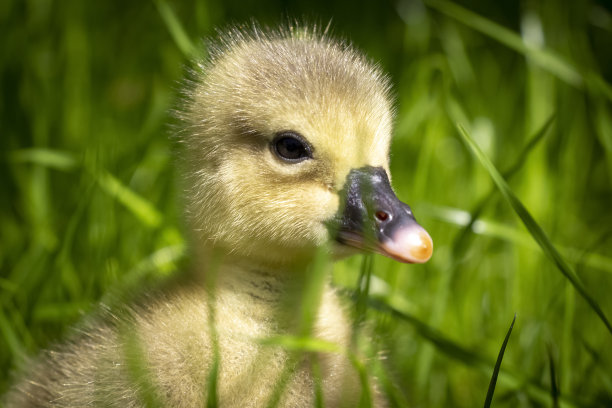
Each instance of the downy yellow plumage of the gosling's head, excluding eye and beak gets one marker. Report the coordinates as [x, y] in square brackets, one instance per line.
[254, 86]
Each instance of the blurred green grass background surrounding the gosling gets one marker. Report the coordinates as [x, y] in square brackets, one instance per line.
[89, 200]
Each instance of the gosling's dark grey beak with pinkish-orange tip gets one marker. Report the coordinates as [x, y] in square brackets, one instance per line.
[374, 219]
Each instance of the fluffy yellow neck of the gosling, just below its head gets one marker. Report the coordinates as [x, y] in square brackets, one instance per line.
[264, 301]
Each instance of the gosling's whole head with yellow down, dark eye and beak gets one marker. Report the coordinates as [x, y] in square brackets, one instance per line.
[287, 137]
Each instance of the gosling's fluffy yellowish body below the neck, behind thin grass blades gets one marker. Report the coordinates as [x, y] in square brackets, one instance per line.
[175, 344]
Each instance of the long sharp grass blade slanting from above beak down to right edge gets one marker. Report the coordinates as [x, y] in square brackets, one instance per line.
[533, 227]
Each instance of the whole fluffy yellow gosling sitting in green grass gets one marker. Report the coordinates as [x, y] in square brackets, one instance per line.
[286, 136]
